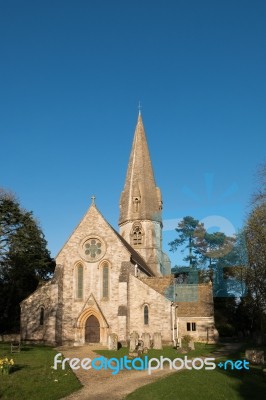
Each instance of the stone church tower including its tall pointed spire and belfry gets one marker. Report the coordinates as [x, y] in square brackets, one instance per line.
[140, 219]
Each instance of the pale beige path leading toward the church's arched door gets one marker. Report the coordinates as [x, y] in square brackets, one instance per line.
[102, 385]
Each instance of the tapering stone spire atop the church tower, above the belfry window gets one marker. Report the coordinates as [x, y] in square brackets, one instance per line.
[140, 199]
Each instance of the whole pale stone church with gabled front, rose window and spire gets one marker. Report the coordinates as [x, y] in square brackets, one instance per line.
[107, 281]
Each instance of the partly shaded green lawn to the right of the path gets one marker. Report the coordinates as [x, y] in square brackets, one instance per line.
[200, 384]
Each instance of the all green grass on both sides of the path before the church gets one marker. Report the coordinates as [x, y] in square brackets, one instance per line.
[34, 379]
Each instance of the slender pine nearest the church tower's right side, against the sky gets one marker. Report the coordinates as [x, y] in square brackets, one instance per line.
[190, 231]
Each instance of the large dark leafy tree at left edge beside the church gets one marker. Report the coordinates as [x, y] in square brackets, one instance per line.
[24, 259]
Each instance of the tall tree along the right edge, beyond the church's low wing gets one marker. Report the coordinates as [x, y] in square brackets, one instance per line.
[245, 267]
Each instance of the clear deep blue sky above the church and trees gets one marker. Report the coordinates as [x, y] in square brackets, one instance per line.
[71, 76]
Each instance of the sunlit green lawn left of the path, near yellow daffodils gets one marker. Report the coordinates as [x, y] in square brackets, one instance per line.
[33, 378]
